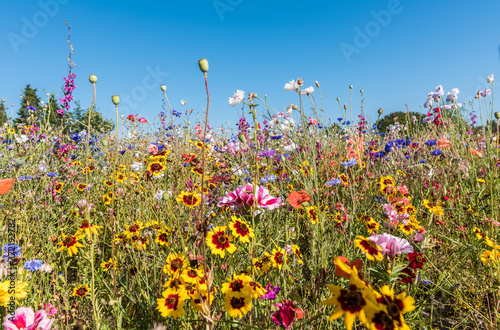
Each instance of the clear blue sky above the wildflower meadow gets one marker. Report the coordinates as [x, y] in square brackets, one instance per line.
[255, 46]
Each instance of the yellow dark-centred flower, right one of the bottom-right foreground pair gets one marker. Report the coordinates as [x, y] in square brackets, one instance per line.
[395, 307]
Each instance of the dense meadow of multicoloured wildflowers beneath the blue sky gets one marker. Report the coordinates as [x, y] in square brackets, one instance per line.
[299, 217]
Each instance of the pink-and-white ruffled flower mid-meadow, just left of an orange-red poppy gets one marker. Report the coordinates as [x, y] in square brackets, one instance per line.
[243, 197]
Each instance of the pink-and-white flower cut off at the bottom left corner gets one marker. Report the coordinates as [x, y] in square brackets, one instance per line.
[26, 319]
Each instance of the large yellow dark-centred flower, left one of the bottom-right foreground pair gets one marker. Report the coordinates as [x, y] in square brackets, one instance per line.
[352, 302]
